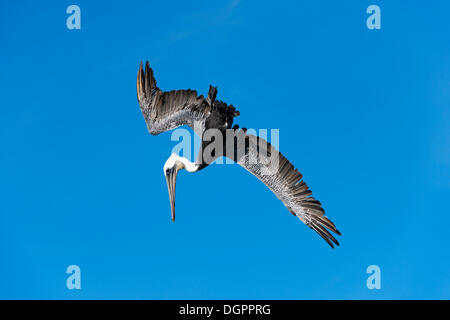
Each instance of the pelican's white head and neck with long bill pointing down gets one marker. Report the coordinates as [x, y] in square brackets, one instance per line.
[174, 164]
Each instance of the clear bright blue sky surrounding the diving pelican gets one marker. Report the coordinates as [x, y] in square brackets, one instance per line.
[363, 114]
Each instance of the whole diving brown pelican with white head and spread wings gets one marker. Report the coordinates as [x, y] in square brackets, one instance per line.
[167, 110]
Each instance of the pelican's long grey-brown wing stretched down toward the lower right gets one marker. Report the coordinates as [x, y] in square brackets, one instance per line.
[263, 161]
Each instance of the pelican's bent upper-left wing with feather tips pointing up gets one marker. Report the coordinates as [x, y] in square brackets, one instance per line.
[167, 110]
